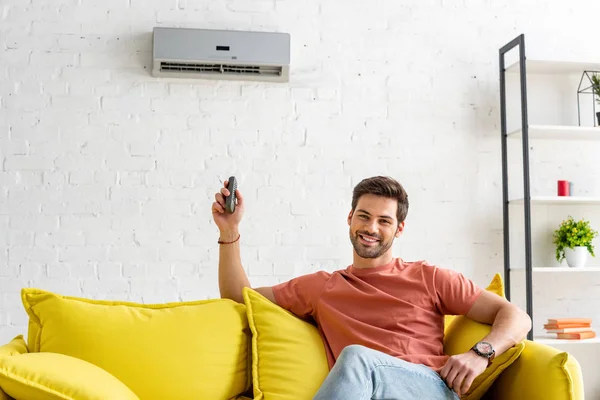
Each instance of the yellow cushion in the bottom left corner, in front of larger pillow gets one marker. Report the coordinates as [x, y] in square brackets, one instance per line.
[50, 376]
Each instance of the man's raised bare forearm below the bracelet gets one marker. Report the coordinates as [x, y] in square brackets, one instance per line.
[232, 277]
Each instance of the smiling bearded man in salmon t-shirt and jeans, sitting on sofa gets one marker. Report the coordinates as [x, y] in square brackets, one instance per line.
[382, 318]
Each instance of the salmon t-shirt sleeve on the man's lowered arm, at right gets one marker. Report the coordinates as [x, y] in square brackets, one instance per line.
[455, 293]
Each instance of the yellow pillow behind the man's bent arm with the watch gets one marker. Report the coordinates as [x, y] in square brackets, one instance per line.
[462, 333]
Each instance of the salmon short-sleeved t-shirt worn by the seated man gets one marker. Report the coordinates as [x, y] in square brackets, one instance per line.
[397, 308]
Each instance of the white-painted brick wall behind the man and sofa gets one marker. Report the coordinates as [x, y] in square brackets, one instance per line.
[107, 174]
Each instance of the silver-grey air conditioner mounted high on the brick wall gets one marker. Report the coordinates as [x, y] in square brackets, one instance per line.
[221, 54]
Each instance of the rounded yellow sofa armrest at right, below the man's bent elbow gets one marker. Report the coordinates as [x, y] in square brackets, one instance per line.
[541, 373]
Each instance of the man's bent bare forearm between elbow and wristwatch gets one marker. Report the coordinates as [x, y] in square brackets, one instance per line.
[509, 328]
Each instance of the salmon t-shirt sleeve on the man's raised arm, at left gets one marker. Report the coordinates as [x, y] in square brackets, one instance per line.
[300, 295]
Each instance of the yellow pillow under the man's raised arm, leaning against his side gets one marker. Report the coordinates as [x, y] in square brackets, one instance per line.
[288, 355]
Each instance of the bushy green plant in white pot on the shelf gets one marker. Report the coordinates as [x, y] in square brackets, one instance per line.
[573, 241]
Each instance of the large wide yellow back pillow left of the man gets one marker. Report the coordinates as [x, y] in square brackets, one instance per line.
[186, 350]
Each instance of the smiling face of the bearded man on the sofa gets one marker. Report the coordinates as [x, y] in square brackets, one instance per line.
[373, 225]
